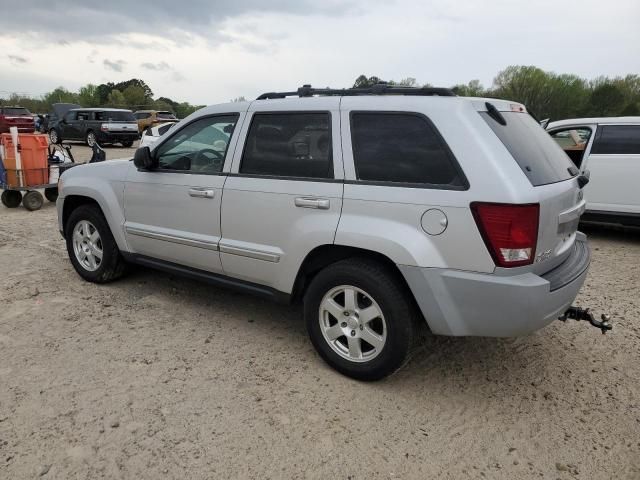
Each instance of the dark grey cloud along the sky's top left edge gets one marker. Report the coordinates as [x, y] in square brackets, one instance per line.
[96, 21]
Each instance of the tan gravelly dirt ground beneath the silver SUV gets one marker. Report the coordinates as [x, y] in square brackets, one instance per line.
[155, 376]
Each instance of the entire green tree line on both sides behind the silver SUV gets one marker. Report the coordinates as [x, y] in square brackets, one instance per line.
[546, 94]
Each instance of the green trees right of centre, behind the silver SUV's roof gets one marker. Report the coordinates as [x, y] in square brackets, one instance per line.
[548, 94]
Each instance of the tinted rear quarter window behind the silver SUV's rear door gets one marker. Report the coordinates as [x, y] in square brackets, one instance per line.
[403, 148]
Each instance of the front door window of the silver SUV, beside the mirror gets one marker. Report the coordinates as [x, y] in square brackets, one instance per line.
[200, 147]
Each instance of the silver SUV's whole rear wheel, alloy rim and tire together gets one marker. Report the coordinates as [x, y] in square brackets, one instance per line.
[359, 318]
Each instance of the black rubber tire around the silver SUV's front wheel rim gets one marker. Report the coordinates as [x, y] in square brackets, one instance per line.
[112, 265]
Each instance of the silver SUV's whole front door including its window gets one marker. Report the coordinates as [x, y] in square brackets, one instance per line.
[173, 212]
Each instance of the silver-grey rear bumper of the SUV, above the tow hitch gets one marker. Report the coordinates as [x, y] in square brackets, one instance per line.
[462, 303]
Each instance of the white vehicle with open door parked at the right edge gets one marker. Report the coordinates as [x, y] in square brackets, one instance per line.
[609, 148]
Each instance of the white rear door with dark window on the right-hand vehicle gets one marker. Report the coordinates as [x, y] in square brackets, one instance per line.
[614, 165]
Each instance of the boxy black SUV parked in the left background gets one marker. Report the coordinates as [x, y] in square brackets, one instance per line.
[91, 125]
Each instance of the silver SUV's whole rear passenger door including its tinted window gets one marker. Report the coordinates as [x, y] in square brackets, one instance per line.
[284, 195]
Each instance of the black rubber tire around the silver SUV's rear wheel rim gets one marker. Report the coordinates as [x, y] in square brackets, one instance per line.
[384, 287]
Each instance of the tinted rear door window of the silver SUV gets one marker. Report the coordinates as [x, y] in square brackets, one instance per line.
[289, 145]
